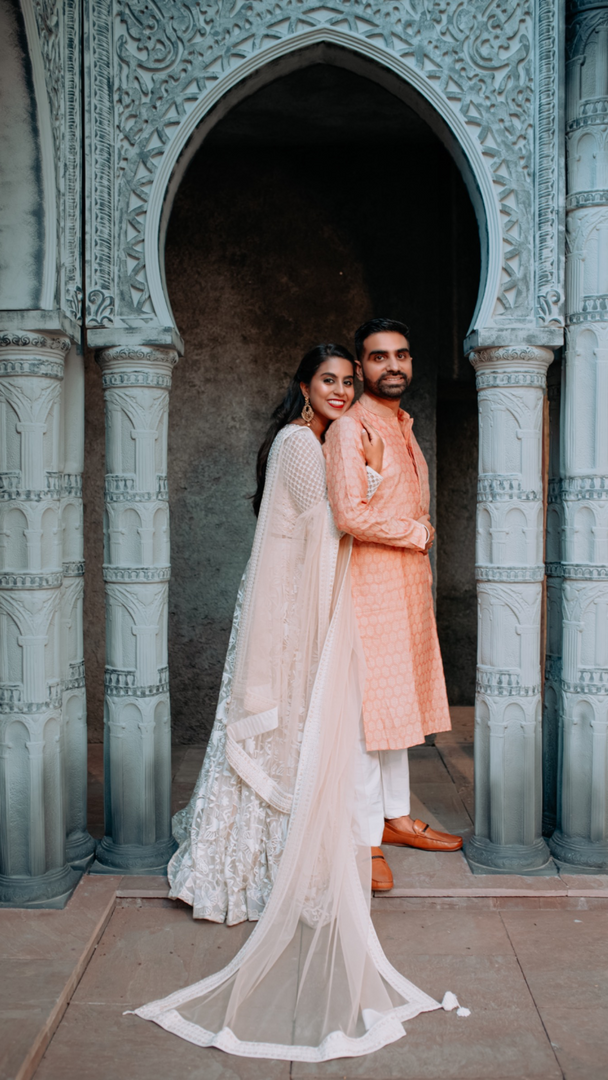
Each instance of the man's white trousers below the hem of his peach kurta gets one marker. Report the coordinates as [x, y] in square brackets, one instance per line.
[383, 790]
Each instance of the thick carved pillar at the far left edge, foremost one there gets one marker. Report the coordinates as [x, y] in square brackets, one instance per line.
[34, 869]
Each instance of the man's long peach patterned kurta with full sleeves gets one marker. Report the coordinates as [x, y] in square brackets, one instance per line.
[406, 696]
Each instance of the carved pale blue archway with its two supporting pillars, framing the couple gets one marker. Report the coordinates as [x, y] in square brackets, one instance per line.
[171, 80]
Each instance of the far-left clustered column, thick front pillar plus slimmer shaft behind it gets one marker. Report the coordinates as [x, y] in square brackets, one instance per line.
[44, 754]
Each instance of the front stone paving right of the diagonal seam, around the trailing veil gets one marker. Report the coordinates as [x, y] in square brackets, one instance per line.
[536, 983]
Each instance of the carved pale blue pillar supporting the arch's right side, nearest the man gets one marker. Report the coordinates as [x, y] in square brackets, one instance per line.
[510, 573]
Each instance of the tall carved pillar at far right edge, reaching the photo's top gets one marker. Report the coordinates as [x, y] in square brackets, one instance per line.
[582, 838]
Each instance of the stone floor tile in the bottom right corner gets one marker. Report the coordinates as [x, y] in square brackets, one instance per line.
[579, 1038]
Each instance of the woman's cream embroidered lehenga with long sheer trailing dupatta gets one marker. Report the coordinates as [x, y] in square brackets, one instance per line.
[272, 831]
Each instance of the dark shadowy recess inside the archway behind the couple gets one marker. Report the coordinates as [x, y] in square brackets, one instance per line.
[320, 201]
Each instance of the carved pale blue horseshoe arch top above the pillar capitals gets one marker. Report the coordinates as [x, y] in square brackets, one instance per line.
[172, 82]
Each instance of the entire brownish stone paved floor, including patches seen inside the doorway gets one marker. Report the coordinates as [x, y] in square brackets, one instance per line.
[529, 956]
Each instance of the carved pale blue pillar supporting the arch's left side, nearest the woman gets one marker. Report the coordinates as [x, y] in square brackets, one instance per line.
[137, 571]
